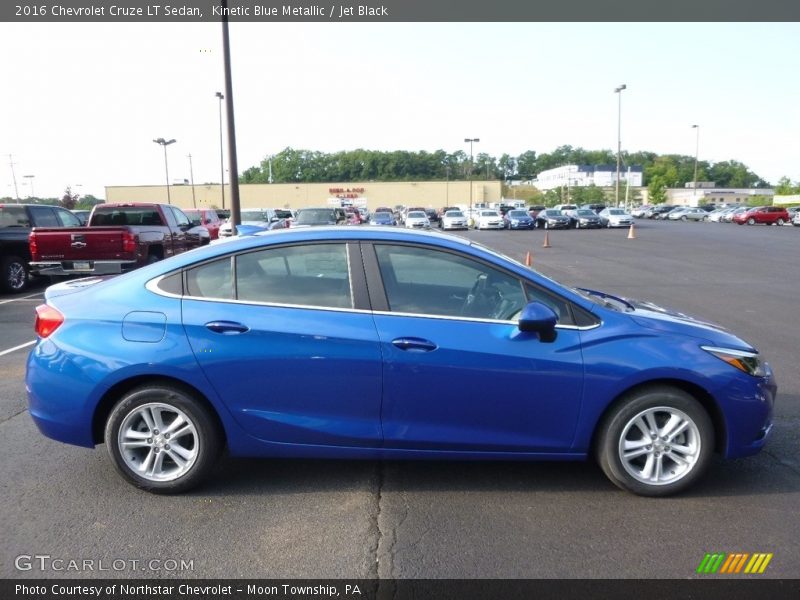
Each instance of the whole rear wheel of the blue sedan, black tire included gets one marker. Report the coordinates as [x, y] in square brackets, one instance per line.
[136, 416]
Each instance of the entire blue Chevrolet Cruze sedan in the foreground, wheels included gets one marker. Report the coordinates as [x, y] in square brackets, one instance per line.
[389, 344]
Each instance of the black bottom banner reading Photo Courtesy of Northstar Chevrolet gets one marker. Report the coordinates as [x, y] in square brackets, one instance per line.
[734, 588]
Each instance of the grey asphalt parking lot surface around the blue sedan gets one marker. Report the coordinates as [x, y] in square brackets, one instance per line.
[339, 519]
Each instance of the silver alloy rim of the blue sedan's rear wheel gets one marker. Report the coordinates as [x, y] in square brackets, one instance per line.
[158, 442]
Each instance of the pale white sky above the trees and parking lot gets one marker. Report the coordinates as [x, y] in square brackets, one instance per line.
[83, 102]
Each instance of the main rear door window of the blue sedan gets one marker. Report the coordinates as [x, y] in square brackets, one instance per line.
[308, 275]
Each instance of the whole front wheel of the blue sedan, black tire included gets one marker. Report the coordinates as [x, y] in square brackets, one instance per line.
[628, 423]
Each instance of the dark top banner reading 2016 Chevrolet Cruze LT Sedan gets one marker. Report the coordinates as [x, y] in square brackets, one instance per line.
[400, 11]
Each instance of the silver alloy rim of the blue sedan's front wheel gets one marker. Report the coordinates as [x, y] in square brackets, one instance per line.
[659, 445]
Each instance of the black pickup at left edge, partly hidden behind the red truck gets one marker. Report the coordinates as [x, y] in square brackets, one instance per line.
[16, 221]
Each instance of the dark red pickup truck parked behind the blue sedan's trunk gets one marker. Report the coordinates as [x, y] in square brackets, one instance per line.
[117, 238]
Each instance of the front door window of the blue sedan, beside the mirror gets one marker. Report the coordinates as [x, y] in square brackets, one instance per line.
[437, 283]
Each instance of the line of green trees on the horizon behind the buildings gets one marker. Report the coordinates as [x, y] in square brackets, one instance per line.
[308, 166]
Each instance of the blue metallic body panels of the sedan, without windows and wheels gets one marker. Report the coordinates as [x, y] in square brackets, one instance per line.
[487, 391]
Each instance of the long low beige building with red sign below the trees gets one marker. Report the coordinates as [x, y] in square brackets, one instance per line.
[433, 194]
